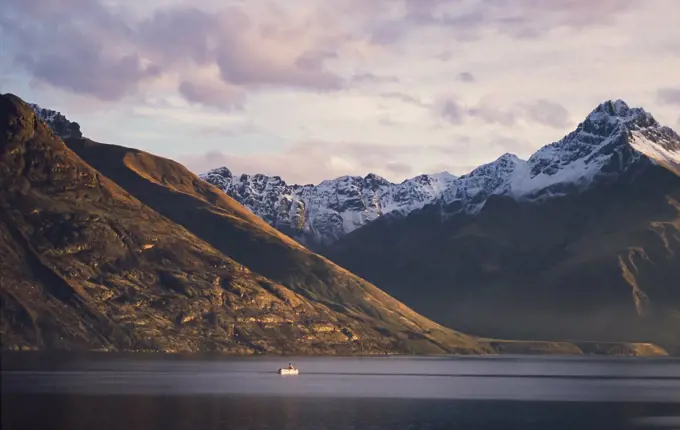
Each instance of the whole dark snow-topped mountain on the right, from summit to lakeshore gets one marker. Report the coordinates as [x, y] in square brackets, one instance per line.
[582, 241]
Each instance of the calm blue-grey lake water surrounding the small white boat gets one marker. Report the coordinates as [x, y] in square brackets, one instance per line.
[149, 392]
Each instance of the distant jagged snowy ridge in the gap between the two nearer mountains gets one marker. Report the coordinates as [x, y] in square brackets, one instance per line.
[320, 214]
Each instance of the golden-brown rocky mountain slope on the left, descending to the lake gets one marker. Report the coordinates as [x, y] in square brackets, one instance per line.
[173, 266]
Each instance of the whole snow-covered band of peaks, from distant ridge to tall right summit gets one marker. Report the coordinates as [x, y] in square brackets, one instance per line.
[613, 139]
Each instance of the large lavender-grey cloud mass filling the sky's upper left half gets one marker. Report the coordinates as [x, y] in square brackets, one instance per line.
[88, 48]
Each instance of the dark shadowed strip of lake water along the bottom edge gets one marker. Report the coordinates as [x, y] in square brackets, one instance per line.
[78, 412]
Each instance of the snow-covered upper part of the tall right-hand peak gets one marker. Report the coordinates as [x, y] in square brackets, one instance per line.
[613, 139]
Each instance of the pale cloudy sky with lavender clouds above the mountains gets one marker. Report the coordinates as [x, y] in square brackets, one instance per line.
[315, 89]
